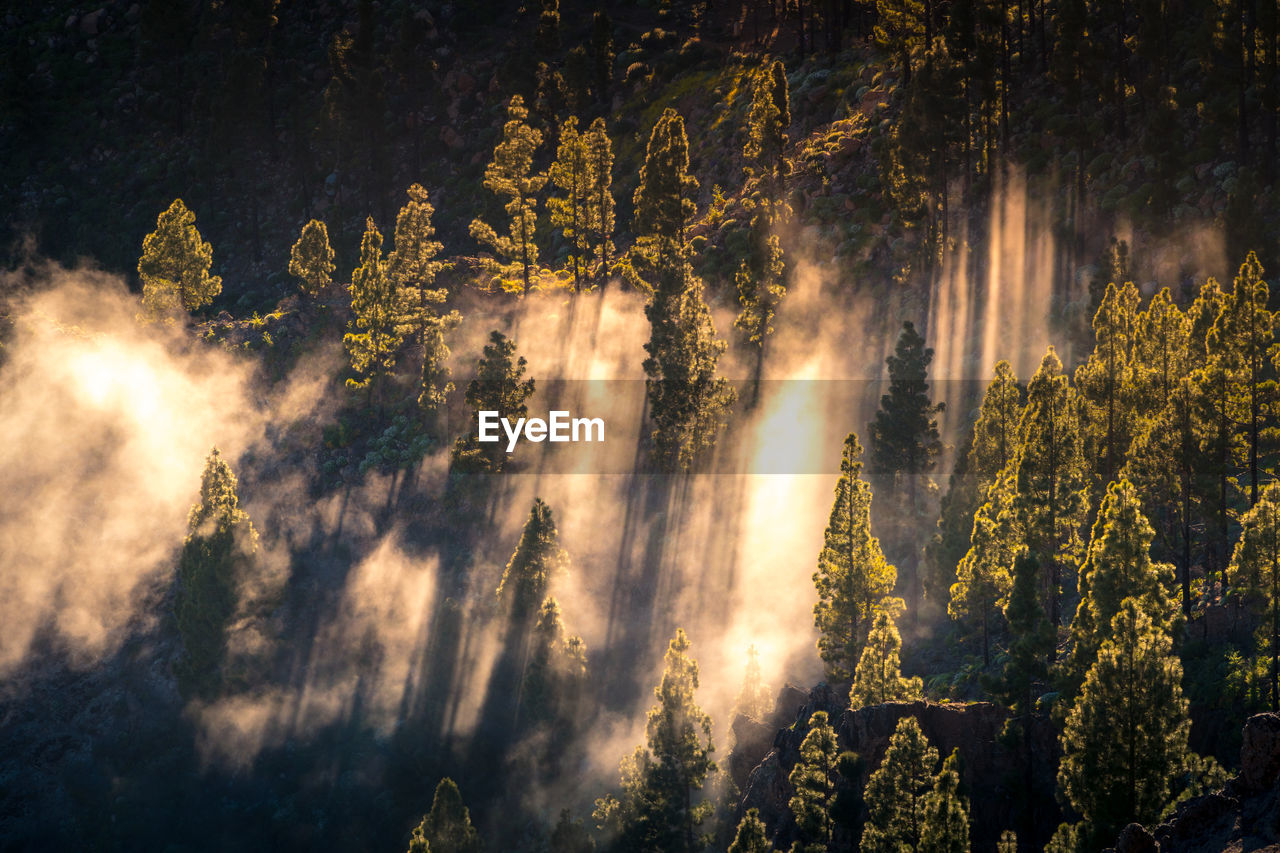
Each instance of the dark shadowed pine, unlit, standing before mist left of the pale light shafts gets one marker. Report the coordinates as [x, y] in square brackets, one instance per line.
[904, 450]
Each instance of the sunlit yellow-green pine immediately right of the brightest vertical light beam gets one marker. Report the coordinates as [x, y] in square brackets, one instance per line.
[853, 576]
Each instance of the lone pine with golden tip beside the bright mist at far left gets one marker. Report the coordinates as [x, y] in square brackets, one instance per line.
[218, 551]
